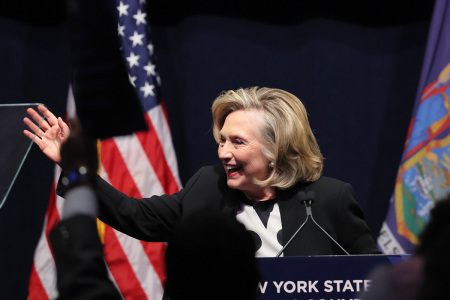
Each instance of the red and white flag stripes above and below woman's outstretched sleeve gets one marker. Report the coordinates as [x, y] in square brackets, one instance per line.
[139, 165]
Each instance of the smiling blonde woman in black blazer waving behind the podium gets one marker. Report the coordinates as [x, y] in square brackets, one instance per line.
[269, 156]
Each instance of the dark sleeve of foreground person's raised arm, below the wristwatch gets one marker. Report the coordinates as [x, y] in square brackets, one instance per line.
[81, 270]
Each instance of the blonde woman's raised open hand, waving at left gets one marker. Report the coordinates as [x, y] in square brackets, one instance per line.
[52, 134]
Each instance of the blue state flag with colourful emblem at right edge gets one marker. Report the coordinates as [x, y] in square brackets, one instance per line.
[424, 174]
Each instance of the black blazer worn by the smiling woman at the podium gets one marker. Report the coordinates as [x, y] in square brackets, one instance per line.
[334, 208]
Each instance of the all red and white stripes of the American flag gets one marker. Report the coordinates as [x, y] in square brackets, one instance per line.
[141, 164]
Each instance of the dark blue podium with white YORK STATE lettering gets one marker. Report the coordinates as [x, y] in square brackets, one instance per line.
[319, 277]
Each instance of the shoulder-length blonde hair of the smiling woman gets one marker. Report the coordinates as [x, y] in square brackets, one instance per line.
[285, 133]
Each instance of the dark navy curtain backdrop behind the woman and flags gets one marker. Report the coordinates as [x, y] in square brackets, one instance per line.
[355, 66]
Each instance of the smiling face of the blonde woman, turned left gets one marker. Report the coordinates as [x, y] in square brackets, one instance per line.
[241, 151]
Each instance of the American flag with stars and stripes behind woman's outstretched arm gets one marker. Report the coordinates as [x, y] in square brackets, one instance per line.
[140, 165]
